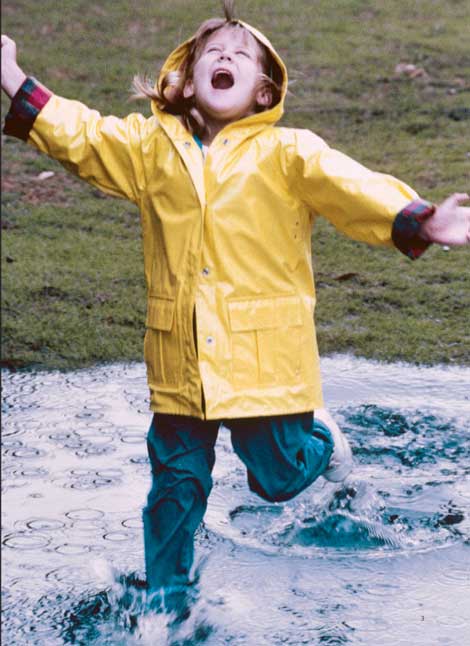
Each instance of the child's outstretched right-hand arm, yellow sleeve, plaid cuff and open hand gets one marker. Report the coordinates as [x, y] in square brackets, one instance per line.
[370, 206]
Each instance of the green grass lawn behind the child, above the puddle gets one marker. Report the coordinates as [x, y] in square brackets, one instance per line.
[73, 289]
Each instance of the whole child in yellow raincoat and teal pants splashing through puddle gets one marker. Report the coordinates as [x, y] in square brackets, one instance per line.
[227, 201]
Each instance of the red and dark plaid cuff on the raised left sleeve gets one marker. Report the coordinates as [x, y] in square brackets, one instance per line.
[25, 107]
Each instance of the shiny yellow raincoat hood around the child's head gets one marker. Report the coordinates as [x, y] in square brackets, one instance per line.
[178, 57]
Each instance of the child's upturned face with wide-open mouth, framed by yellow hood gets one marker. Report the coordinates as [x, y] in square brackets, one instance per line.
[226, 77]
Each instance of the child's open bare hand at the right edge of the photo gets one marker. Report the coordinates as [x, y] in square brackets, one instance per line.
[450, 223]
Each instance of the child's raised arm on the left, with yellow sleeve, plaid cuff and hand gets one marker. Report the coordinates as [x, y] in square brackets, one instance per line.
[105, 151]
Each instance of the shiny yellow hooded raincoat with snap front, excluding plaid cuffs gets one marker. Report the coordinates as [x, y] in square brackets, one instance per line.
[227, 251]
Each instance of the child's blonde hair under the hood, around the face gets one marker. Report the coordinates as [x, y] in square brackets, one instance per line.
[168, 94]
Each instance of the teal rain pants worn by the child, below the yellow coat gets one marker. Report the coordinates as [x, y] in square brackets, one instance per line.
[283, 455]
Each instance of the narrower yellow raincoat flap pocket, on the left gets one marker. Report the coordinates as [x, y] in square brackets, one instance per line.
[162, 345]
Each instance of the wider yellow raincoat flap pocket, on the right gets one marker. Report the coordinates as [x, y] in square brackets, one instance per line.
[266, 347]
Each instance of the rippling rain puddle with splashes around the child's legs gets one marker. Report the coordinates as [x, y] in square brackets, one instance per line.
[382, 559]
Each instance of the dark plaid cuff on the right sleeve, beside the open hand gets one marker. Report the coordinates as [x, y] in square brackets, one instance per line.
[407, 225]
